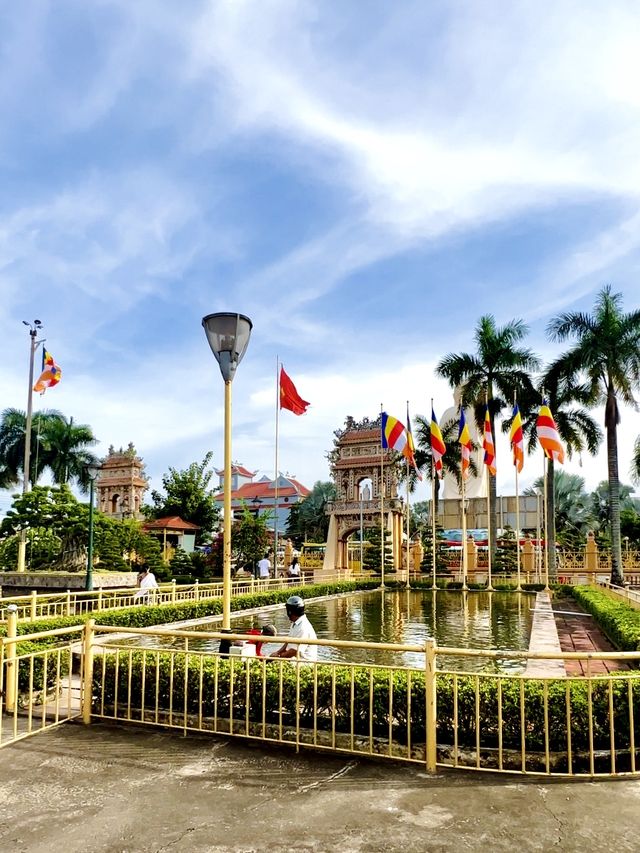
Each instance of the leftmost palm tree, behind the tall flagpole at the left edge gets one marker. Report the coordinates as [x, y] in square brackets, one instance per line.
[13, 429]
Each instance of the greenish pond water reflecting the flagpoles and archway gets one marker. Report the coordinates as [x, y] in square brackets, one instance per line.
[477, 620]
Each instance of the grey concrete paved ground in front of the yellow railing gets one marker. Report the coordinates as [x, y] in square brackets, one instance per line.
[112, 790]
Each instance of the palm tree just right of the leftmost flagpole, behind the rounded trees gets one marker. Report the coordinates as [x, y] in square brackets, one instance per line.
[66, 450]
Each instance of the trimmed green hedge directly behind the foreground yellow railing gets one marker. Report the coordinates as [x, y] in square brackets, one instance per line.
[111, 682]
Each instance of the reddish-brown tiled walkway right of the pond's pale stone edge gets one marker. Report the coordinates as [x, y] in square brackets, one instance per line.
[581, 634]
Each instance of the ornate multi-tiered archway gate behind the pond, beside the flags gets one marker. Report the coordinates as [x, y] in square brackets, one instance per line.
[357, 457]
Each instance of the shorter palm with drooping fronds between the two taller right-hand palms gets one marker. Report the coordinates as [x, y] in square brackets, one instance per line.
[577, 429]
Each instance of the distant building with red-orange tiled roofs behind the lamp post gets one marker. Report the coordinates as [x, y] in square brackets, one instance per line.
[260, 497]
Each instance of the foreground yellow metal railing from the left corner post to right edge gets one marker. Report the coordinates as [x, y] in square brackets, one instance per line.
[498, 721]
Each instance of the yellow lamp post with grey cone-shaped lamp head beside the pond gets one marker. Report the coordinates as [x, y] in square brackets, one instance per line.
[228, 336]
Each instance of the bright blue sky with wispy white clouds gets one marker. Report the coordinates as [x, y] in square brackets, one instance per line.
[364, 181]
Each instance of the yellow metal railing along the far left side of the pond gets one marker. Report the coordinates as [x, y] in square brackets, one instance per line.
[37, 605]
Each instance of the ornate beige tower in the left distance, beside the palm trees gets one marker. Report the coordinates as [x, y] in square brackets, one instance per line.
[121, 484]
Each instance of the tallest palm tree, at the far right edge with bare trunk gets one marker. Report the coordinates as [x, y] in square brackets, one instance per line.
[606, 355]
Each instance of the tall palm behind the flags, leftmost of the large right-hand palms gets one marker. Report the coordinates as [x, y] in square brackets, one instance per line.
[498, 369]
